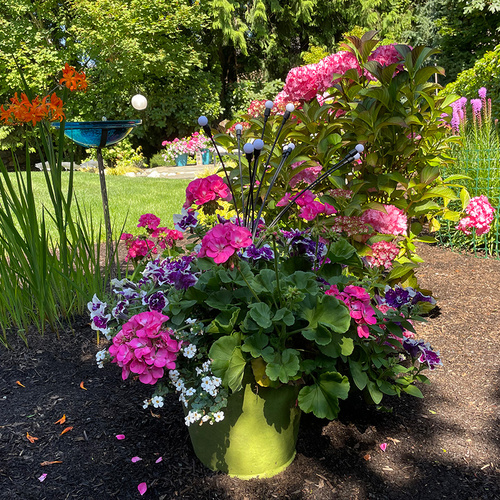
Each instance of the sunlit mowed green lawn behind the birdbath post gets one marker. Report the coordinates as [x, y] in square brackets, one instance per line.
[129, 198]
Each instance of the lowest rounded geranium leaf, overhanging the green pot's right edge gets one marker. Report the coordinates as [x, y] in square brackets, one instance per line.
[322, 398]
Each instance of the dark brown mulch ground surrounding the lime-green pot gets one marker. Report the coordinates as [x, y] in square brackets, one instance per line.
[445, 446]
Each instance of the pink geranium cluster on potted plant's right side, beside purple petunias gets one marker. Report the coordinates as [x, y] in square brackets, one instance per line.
[357, 299]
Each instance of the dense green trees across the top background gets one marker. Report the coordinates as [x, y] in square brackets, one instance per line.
[211, 57]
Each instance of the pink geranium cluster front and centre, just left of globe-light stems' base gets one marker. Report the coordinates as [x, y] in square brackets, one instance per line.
[223, 241]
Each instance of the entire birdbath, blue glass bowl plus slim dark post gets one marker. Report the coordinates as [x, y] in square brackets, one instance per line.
[100, 135]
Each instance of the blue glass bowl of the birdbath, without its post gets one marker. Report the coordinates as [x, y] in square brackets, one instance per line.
[98, 134]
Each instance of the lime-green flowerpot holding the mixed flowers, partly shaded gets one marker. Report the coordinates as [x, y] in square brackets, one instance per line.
[257, 437]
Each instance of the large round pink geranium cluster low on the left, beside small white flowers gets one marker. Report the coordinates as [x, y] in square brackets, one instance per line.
[145, 347]
